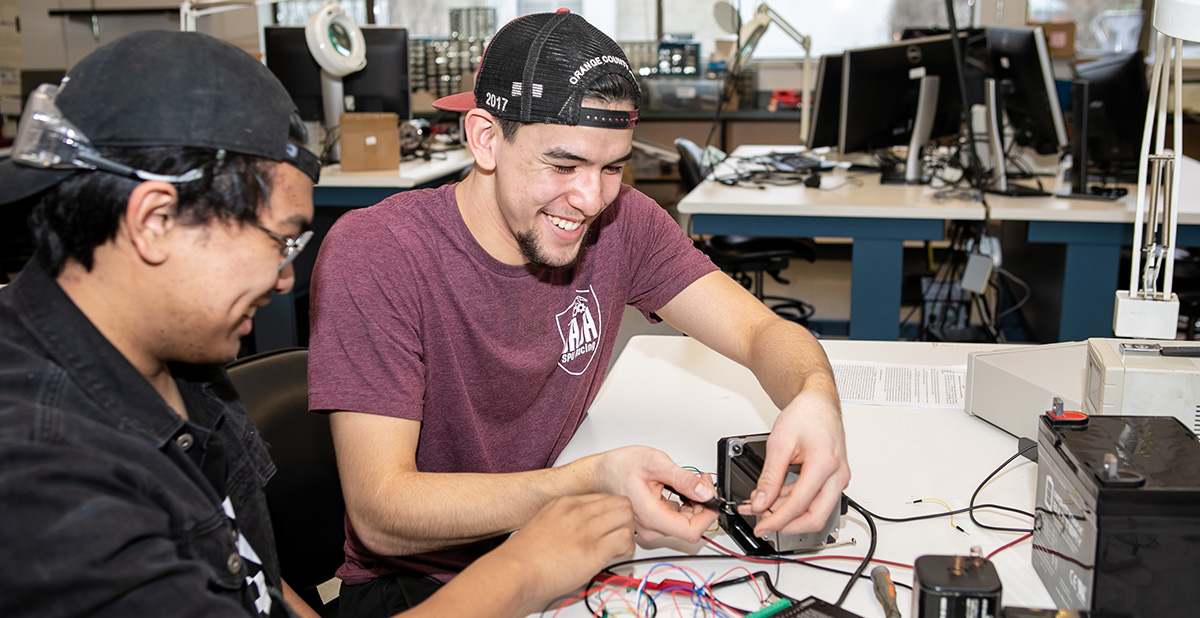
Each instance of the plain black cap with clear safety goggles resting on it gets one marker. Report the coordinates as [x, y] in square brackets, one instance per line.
[160, 88]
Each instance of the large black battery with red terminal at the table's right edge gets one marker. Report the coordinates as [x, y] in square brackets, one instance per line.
[1118, 525]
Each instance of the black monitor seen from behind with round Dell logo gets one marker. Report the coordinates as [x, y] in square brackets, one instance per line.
[880, 93]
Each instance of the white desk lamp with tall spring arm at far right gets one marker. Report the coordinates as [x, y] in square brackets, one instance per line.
[1145, 313]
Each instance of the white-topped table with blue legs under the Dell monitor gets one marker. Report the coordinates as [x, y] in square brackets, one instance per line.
[881, 218]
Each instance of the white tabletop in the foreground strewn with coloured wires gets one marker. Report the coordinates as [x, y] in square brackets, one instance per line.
[677, 395]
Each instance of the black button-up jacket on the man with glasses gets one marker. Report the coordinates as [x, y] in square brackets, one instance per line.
[111, 505]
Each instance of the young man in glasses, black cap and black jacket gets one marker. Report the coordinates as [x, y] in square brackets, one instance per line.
[170, 195]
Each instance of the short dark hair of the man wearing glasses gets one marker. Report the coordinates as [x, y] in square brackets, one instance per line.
[85, 212]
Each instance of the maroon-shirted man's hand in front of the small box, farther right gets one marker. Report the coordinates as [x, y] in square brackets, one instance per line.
[808, 433]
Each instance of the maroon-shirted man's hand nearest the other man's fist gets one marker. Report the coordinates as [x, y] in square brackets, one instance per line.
[640, 473]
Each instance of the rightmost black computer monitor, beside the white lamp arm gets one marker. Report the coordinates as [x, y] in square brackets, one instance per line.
[1118, 97]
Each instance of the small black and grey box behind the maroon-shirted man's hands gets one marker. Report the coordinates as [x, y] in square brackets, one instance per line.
[740, 463]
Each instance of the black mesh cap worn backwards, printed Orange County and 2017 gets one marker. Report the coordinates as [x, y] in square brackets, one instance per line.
[537, 69]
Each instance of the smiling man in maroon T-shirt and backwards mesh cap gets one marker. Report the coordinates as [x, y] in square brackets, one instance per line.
[460, 334]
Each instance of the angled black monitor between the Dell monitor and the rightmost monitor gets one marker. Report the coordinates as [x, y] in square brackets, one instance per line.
[1025, 87]
